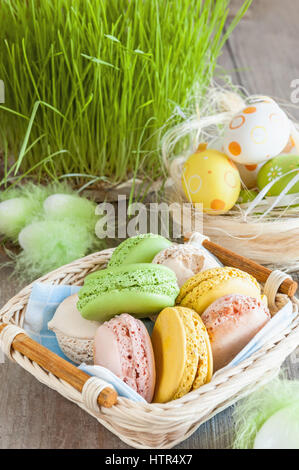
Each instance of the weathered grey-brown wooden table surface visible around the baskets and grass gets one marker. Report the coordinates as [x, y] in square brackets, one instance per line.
[261, 56]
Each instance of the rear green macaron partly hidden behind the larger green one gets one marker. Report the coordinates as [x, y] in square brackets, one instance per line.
[140, 249]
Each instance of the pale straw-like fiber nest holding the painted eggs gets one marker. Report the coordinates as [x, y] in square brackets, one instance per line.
[265, 230]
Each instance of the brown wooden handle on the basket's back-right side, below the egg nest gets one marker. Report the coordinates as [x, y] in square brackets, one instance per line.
[261, 273]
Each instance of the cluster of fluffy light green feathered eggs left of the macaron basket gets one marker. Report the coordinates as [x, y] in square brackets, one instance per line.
[53, 225]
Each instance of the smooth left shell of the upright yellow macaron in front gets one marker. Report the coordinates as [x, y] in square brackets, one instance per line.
[169, 325]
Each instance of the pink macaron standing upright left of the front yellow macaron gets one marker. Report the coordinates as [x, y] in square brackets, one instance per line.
[123, 346]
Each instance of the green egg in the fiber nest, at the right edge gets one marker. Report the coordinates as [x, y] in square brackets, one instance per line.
[277, 167]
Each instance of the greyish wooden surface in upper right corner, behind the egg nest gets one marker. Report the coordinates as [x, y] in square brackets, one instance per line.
[264, 47]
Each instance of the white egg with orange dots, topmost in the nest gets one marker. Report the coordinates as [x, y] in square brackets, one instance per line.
[257, 133]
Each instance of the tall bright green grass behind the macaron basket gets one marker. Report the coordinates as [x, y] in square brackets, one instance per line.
[89, 83]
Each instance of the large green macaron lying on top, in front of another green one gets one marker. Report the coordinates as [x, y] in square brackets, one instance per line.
[139, 289]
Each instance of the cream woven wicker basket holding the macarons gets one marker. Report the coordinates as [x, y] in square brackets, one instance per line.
[151, 425]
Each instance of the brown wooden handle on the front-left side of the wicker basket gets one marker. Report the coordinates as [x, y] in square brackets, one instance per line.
[59, 367]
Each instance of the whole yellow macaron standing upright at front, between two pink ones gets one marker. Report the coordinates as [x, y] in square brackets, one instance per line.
[182, 353]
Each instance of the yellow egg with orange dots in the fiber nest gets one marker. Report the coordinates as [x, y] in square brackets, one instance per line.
[211, 178]
